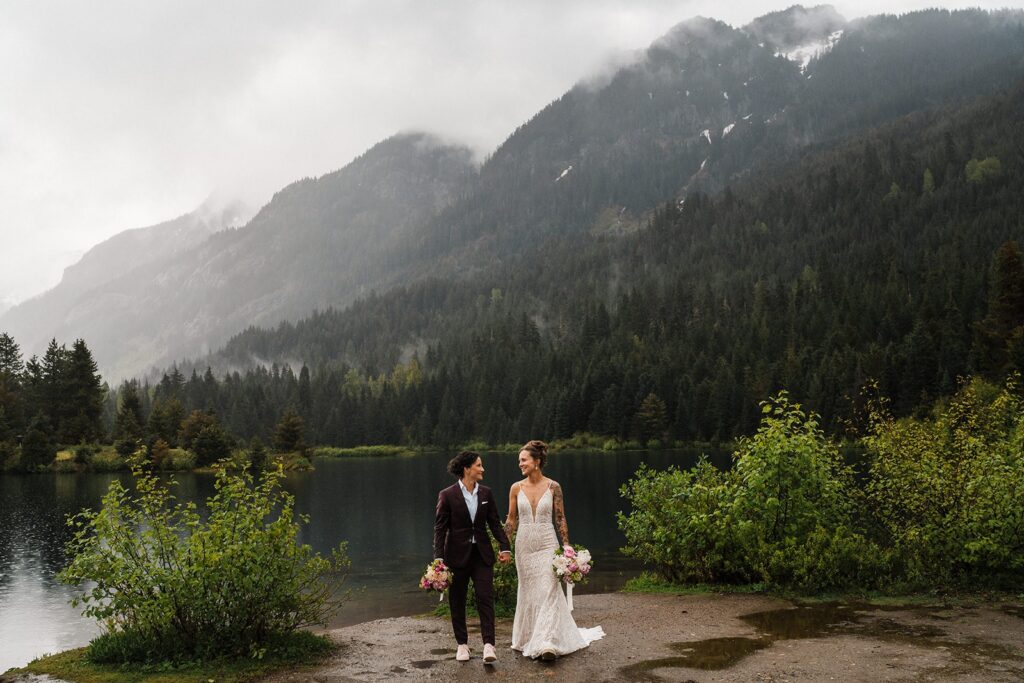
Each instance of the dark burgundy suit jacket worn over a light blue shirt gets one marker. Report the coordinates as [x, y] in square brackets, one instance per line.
[454, 531]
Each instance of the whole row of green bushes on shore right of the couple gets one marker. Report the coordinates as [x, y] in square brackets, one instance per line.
[934, 505]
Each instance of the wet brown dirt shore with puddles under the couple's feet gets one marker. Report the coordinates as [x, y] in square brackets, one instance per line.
[707, 638]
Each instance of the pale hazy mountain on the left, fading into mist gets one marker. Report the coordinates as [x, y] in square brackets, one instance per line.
[319, 243]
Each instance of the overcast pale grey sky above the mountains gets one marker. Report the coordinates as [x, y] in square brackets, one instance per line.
[123, 114]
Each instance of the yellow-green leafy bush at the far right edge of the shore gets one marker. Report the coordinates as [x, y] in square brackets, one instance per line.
[948, 491]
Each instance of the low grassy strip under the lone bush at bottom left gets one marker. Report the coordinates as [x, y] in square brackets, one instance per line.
[304, 651]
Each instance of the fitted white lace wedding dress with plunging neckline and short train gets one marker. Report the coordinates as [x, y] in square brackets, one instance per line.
[543, 621]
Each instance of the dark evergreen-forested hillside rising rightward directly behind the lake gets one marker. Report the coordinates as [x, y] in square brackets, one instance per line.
[870, 261]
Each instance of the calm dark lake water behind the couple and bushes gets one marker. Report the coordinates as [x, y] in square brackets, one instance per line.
[382, 506]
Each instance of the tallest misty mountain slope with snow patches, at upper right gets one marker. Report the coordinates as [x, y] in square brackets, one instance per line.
[708, 105]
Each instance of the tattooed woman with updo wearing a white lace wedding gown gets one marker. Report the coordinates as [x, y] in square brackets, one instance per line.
[544, 626]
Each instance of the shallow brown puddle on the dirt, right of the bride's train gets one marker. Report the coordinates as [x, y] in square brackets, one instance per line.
[817, 621]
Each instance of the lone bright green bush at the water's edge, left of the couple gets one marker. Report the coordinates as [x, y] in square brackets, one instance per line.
[168, 585]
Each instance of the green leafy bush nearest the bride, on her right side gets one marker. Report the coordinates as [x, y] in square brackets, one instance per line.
[783, 517]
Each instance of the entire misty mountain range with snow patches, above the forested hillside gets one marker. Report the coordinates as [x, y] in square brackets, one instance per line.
[706, 108]
